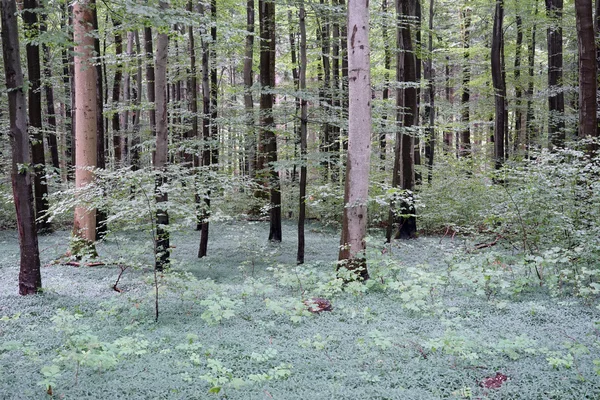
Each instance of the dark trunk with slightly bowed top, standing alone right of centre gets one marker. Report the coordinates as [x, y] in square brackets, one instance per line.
[499, 85]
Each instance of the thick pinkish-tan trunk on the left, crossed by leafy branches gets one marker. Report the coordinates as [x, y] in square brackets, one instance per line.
[85, 122]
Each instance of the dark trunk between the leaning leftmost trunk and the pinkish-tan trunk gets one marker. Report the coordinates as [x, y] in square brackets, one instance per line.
[32, 49]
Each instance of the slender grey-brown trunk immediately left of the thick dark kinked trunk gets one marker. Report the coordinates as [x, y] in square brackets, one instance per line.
[250, 140]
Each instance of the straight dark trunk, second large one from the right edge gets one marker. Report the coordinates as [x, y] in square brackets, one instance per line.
[556, 99]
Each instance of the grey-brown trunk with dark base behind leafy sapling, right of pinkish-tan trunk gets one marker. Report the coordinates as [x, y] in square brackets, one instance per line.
[162, 251]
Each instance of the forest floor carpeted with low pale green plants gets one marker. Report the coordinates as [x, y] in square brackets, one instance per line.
[235, 324]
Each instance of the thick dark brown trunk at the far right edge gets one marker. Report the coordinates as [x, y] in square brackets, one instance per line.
[588, 124]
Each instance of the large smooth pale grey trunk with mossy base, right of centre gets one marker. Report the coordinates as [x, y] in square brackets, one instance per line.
[356, 191]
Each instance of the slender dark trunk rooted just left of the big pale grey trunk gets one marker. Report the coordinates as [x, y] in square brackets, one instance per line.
[303, 134]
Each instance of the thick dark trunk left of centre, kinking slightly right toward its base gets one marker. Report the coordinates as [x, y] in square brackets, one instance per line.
[267, 125]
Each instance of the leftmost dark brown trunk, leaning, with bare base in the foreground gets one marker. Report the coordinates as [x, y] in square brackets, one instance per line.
[30, 280]
